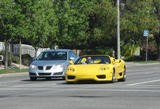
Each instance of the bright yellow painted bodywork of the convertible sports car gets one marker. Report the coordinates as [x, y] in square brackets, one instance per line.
[91, 71]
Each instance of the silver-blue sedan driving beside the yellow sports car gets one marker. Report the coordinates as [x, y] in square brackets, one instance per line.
[51, 63]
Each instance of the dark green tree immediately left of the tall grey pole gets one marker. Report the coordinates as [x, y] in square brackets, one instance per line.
[102, 25]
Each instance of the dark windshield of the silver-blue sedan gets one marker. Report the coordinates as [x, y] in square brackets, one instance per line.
[52, 55]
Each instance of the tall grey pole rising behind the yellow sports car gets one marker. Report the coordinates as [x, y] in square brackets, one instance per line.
[118, 31]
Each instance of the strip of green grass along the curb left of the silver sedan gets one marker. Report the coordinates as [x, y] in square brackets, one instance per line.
[5, 71]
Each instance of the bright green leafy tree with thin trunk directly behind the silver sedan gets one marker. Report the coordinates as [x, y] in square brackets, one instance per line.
[42, 22]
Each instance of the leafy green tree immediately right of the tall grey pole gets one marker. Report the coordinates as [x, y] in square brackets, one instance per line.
[135, 20]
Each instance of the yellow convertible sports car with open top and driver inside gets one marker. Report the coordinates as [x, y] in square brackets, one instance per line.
[96, 67]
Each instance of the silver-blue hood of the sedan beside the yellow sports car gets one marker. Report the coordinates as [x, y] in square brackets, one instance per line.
[49, 62]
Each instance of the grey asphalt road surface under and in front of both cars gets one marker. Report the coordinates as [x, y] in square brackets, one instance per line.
[140, 91]
